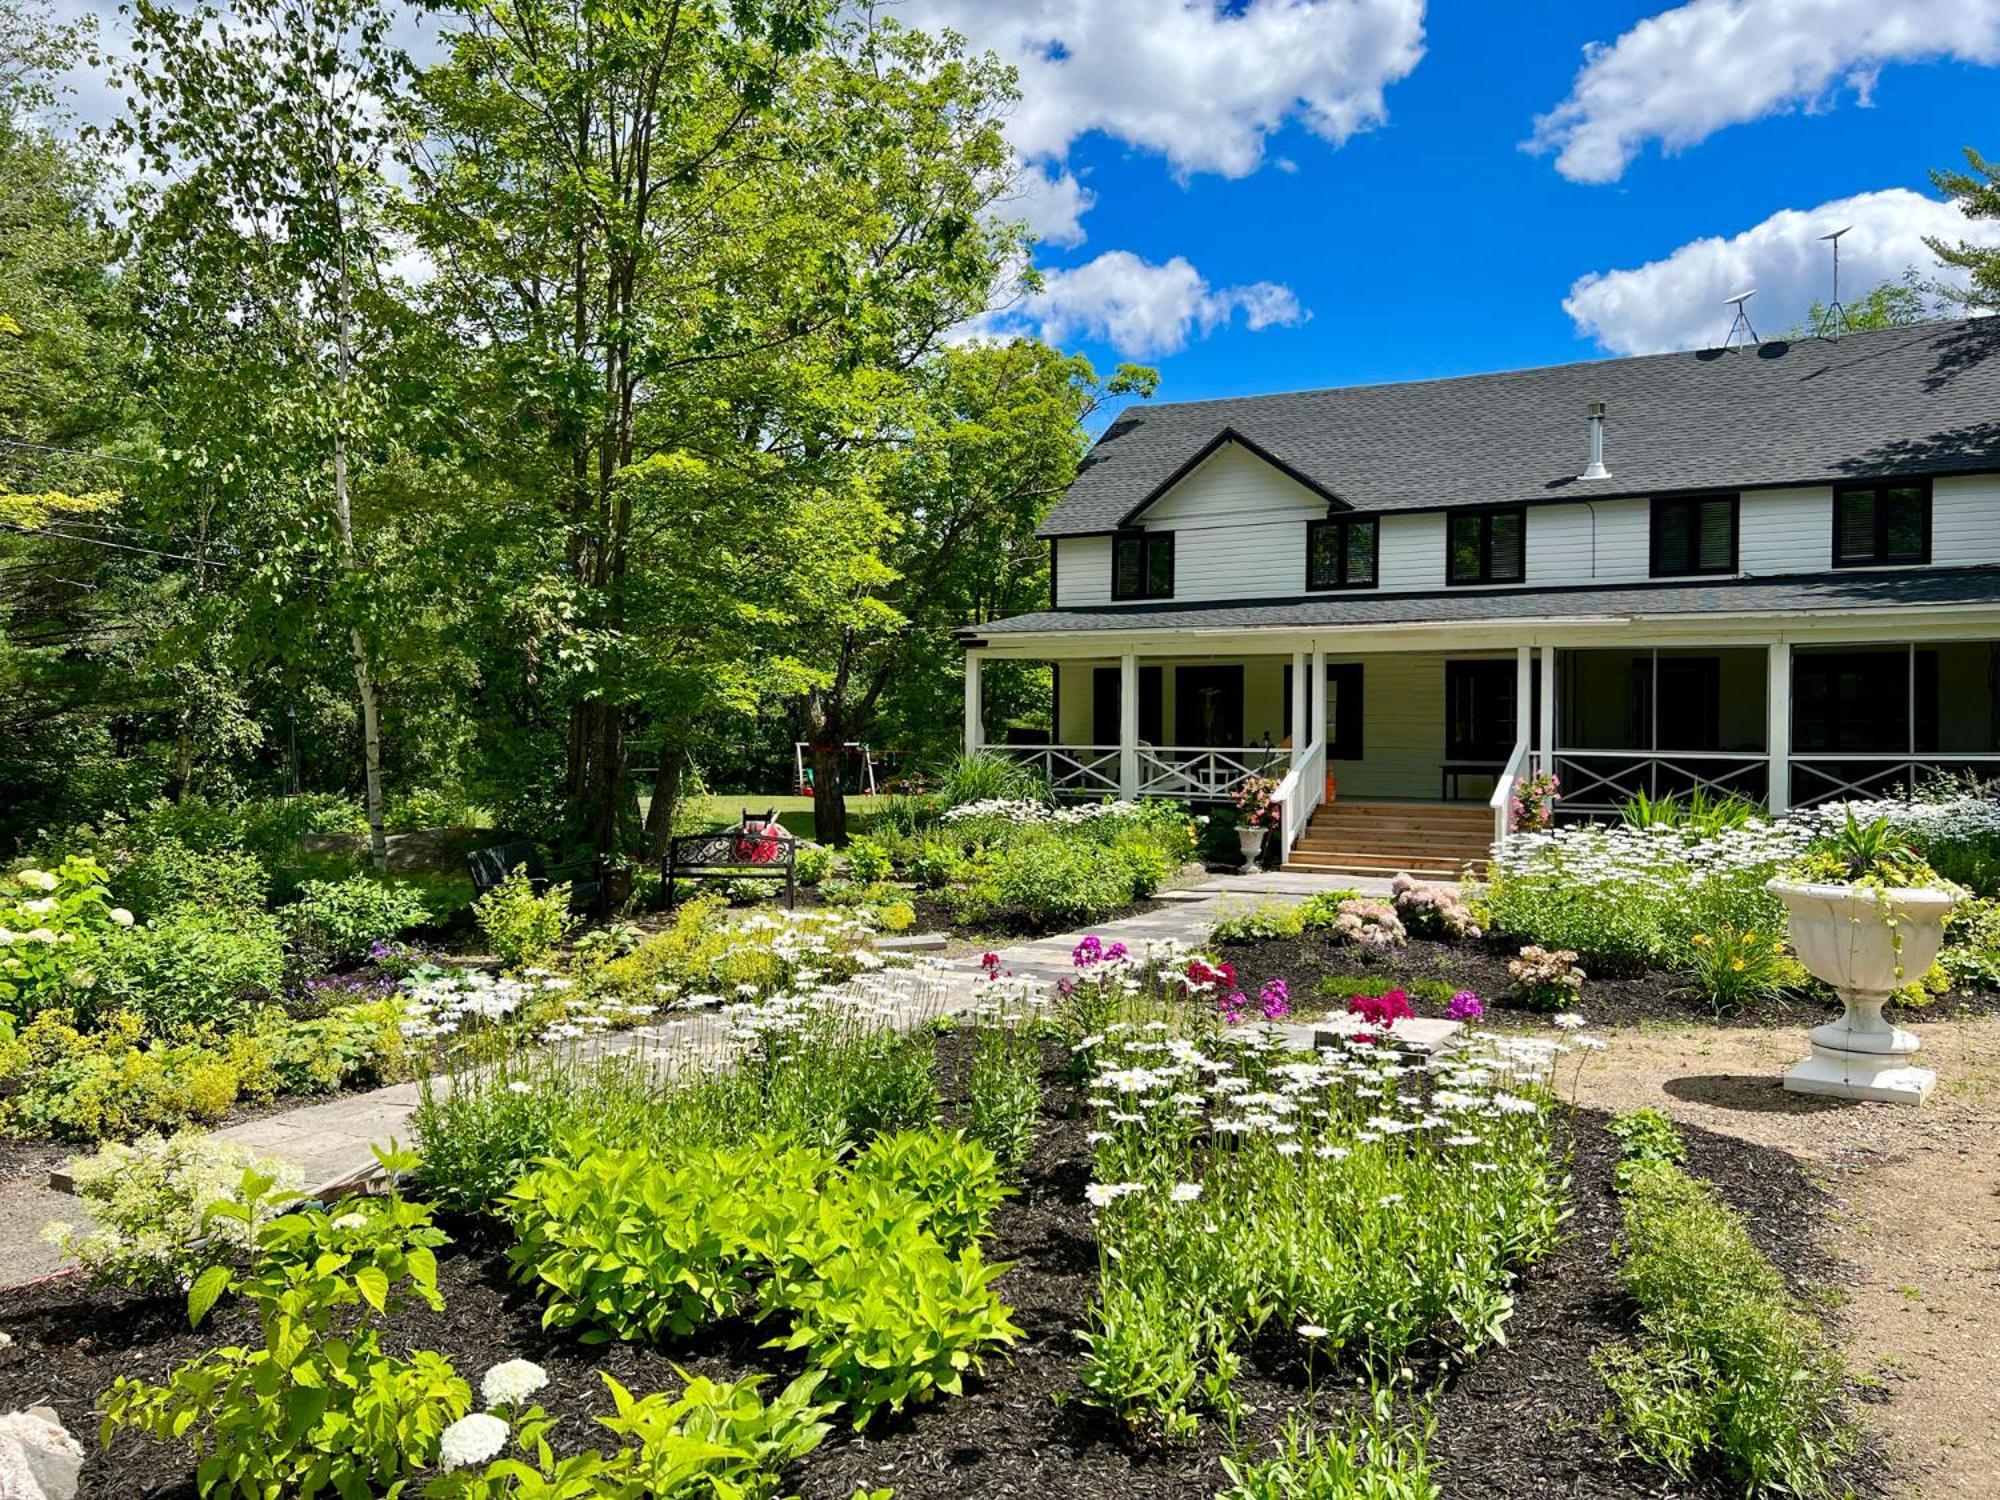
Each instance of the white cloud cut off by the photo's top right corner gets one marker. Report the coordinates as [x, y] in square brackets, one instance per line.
[1697, 69]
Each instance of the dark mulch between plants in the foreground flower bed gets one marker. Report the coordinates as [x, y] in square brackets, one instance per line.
[1521, 1423]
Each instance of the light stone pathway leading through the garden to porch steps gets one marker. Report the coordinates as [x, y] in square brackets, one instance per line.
[333, 1141]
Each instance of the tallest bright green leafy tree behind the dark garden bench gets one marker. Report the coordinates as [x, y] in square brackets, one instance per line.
[691, 253]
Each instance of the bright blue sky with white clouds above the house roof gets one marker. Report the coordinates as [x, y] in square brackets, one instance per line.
[1375, 203]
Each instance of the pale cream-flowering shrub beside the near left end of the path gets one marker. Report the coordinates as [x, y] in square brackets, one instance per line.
[149, 1209]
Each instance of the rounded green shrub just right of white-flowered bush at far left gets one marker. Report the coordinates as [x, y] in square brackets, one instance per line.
[189, 971]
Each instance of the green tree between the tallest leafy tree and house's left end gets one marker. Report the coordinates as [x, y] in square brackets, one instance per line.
[995, 435]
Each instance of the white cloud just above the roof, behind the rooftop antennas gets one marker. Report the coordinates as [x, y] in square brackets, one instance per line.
[1677, 303]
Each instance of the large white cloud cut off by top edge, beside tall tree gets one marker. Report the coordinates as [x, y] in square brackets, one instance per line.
[1193, 81]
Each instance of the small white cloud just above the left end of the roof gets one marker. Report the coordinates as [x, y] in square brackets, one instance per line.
[1141, 309]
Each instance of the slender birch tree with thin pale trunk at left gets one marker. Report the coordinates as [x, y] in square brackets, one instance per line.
[261, 235]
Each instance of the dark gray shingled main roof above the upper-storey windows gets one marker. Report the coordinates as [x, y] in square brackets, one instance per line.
[1897, 401]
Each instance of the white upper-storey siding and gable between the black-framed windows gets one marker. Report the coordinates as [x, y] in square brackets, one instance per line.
[1241, 533]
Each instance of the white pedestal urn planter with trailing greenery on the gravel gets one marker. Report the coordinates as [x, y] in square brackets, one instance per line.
[1867, 919]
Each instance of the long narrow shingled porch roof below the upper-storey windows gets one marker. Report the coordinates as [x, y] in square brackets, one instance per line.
[1731, 597]
